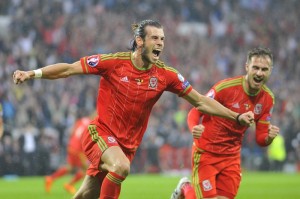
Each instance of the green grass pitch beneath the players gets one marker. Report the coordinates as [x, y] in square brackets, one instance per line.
[258, 185]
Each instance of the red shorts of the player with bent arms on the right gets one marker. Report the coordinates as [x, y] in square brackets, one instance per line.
[215, 175]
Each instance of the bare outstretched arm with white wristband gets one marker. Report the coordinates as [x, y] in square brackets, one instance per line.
[55, 71]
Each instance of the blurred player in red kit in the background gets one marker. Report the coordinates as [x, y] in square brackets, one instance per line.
[76, 160]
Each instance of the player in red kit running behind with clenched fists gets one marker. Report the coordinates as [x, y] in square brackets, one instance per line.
[217, 142]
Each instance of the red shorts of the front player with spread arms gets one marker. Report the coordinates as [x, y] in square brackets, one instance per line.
[94, 144]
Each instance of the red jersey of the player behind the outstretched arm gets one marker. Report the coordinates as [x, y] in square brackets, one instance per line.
[223, 136]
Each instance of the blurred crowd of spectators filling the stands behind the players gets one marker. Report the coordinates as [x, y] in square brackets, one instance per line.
[206, 40]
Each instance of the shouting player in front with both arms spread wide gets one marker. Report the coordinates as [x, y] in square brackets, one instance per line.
[131, 84]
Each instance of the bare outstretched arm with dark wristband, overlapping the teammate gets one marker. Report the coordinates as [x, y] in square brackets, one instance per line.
[212, 107]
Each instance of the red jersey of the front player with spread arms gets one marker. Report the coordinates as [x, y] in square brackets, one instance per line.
[127, 94]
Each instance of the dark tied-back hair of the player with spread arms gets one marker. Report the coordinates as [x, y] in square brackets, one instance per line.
[139, 30]
